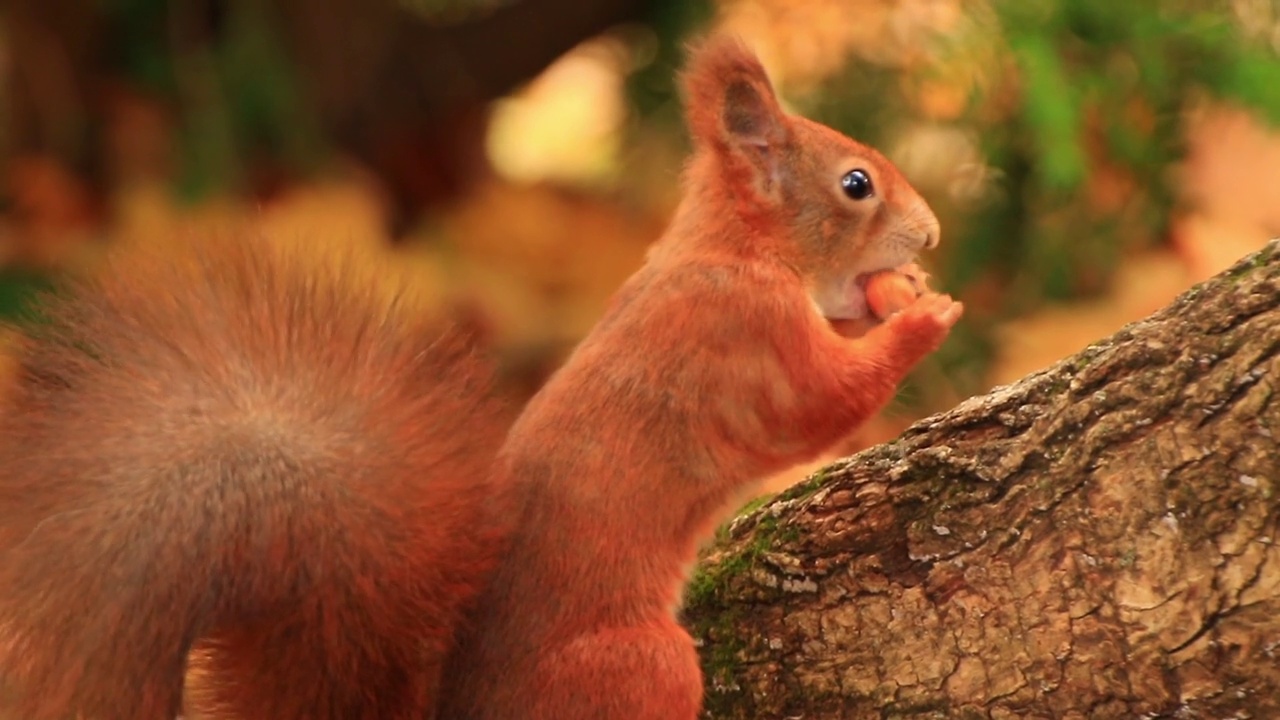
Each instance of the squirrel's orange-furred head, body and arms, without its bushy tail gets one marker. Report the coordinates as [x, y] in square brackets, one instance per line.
[715, 367]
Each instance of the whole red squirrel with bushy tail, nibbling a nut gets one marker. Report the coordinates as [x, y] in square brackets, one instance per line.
[309, 486]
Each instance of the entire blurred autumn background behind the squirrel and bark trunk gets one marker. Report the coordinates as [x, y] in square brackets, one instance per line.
[1089, 160]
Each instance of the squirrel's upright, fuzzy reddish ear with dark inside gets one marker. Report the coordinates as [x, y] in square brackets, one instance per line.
[729, 99]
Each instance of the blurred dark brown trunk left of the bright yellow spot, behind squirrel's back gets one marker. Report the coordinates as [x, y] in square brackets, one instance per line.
[410, 98]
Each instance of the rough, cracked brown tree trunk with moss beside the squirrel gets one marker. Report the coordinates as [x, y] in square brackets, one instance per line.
[1099, 540]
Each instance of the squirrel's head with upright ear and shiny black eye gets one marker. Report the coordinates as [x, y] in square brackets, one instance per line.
[830, 207]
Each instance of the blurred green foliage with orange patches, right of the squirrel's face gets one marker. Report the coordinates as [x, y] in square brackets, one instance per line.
[1080, 111]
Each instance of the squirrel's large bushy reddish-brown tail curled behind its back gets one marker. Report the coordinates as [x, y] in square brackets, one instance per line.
[244, 464]
